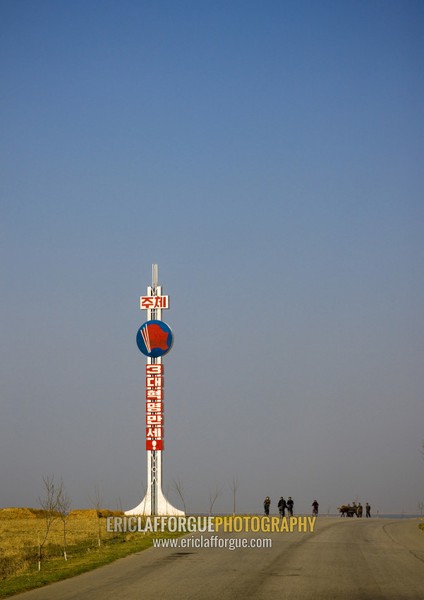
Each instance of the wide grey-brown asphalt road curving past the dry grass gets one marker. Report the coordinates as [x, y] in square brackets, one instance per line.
[349, 559]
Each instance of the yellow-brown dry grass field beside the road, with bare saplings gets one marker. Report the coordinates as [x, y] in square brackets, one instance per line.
[88, 545]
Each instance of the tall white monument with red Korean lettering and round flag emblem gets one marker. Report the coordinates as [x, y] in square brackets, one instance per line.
[154, 340]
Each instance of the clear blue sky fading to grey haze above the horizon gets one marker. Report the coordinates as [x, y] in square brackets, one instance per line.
[268, 156]
